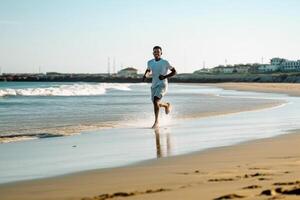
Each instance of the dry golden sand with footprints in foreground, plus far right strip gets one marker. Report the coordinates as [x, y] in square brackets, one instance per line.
[259, 169]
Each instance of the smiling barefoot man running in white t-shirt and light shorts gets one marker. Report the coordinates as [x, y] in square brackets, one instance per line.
[159, 68]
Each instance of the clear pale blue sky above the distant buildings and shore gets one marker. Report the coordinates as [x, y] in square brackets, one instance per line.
[79, 36]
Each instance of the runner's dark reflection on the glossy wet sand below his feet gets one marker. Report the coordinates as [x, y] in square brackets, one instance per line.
[163, 143]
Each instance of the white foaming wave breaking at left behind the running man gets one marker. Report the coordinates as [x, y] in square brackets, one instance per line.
[81, 89]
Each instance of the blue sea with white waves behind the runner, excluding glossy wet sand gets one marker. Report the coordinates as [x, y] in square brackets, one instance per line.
[51, 108]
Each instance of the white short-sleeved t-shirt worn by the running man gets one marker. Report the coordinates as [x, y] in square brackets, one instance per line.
[157, 68]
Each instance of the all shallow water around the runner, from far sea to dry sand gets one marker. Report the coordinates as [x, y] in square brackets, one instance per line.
[129, 109]
